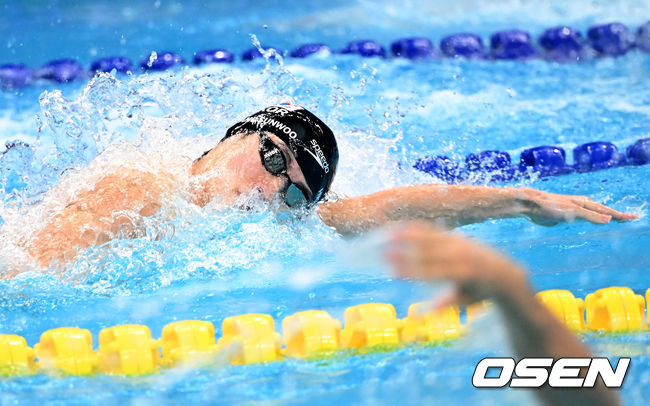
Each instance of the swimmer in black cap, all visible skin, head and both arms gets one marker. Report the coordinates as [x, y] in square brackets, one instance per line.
[285, 152]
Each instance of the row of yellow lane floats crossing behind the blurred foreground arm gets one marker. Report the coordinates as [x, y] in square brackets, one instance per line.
[251, 338]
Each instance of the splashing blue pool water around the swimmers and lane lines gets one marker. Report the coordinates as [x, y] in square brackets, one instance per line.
[212, 263]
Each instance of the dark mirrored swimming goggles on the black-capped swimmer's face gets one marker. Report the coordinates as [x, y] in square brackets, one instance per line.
[275, 163]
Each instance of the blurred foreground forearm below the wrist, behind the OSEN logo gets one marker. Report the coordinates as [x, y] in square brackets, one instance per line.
[537, 333]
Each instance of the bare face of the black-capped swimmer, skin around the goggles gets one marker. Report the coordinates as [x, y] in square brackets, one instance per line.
[247, 173]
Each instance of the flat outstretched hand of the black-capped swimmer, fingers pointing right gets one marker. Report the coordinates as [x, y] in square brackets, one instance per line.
[549, 208]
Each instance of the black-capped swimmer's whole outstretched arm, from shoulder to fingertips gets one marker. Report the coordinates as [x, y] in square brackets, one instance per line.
[451, 206]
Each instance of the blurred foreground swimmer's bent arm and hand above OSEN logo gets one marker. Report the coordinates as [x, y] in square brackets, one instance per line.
[480, 273]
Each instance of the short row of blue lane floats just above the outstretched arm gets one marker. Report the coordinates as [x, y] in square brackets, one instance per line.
[544, 161]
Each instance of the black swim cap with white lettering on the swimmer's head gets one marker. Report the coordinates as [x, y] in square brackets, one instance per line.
[311, 141]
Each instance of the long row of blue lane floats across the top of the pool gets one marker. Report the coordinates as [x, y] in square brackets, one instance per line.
[558, 44]
